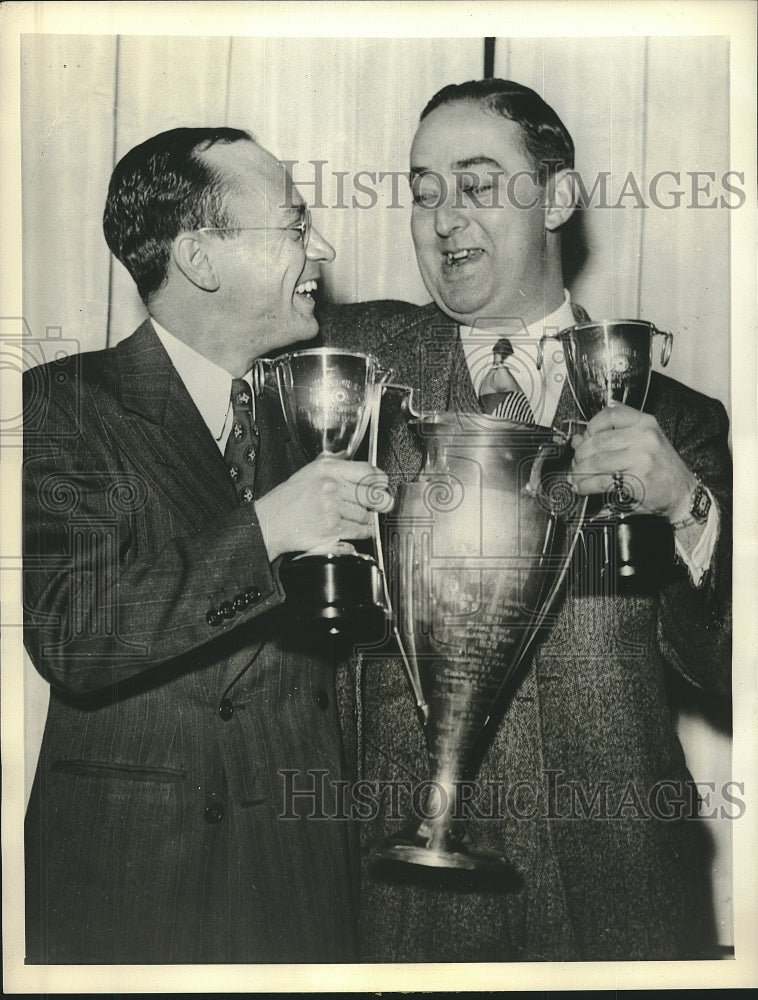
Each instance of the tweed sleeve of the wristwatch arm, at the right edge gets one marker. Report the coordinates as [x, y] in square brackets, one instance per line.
[695, 623]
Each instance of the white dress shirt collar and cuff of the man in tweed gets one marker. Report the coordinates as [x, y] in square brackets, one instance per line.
[543, 388]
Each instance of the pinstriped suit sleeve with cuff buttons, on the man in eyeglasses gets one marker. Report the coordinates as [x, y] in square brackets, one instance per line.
[109, 592]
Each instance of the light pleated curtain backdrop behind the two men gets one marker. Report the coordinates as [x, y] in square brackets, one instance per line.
[639, 105]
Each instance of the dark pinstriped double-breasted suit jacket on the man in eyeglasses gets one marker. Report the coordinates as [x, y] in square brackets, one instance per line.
[154, 831]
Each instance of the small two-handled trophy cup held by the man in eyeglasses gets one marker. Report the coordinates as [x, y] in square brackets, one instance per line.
[330, 398]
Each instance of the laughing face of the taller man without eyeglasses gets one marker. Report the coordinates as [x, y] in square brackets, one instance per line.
[508, 252]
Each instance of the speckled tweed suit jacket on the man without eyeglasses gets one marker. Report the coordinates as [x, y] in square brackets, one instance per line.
[623, 875]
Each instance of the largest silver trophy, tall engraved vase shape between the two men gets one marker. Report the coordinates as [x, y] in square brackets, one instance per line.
[477, 549]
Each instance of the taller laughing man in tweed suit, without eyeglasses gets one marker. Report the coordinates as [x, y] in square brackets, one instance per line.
[583, 784]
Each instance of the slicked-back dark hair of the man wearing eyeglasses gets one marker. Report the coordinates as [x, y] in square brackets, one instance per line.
[158, 189]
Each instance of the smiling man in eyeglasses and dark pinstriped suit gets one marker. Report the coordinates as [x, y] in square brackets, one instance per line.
[179, 691]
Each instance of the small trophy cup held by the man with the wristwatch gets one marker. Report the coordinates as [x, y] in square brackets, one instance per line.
[611, 362]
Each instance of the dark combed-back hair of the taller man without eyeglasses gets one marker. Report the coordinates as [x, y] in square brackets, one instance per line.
[546, 139]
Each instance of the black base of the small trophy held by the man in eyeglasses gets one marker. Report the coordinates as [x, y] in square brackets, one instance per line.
[335, 593]
